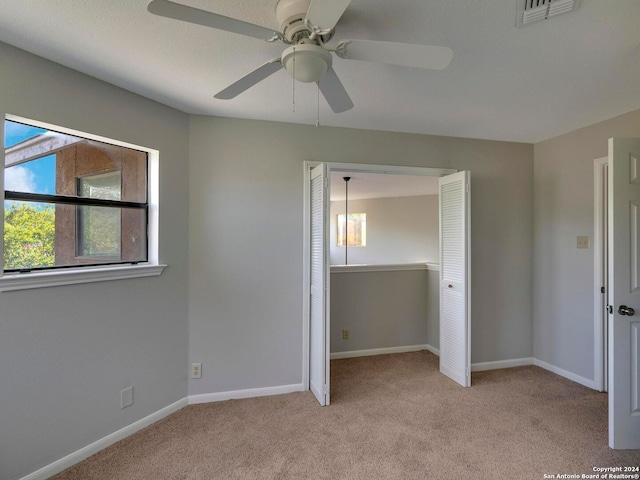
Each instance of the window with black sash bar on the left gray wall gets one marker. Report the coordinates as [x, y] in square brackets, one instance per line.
[72, 201]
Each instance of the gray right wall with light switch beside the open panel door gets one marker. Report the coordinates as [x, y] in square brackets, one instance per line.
[563, 275]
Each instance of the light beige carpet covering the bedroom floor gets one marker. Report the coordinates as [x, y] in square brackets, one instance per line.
[391, 417]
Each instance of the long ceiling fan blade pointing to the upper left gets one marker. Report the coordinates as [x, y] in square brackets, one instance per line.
[177, 11]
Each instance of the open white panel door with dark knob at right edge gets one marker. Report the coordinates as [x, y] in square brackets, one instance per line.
[624, 293]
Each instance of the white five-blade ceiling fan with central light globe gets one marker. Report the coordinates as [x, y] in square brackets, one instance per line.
[307, 26]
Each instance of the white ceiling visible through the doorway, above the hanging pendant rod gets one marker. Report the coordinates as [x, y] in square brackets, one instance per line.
[363, 185]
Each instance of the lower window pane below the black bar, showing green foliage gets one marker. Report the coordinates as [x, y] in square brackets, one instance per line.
[38, 235]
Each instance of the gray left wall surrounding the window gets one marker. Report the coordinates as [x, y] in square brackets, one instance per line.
[66, 352]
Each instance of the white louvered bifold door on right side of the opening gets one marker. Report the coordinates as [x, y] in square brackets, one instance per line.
[455, 277]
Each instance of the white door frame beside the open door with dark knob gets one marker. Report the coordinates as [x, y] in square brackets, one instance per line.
[600, 202]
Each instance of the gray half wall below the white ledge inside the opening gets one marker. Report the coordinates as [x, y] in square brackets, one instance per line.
[384, 309]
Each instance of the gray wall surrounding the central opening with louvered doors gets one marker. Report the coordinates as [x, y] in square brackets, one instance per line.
[246, 230]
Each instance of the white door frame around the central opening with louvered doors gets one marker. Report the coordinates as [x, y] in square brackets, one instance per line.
[342, 167]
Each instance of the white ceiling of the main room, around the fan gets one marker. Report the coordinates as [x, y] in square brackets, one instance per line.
[506, 83]
